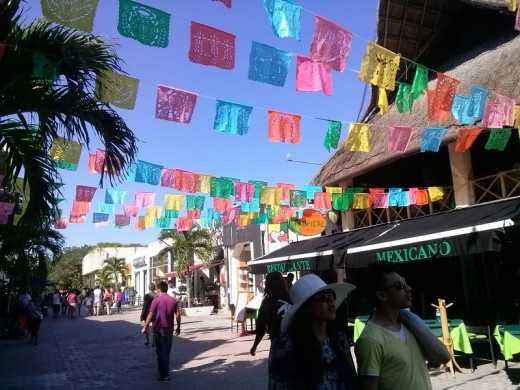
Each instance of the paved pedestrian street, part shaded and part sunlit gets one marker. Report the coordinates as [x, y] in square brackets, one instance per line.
[108, 352]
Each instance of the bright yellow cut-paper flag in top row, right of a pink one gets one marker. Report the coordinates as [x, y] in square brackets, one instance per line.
[379, 66]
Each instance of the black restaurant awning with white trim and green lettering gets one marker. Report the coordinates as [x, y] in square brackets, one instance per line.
[463, 231]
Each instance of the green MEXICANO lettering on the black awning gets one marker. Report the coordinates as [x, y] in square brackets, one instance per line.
[416, 252]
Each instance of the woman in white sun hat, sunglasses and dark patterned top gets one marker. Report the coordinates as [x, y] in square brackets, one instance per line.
[313, 351]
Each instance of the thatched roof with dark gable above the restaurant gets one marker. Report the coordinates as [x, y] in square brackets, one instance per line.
[484, 54]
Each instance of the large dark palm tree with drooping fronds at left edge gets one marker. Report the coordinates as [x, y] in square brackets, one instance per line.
[35, 109]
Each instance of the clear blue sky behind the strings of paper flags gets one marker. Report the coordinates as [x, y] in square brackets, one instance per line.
[196, 147]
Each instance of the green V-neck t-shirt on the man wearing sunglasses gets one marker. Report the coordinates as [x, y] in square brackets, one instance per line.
[399, 364]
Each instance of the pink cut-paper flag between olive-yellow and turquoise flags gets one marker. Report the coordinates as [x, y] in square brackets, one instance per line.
[174, 104]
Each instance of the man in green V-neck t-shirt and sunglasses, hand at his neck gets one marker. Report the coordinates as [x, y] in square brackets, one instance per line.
[394, 345]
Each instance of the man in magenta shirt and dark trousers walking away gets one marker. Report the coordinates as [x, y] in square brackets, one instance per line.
[165, 309]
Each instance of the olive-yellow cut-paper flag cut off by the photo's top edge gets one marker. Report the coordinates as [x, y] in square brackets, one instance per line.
[77, 14]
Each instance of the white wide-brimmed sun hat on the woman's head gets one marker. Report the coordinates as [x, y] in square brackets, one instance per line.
[305, 288]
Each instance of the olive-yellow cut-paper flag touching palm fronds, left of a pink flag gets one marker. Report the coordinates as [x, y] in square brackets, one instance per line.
[118, 89]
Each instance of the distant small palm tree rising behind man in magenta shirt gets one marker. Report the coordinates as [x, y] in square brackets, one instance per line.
[185, 246]
